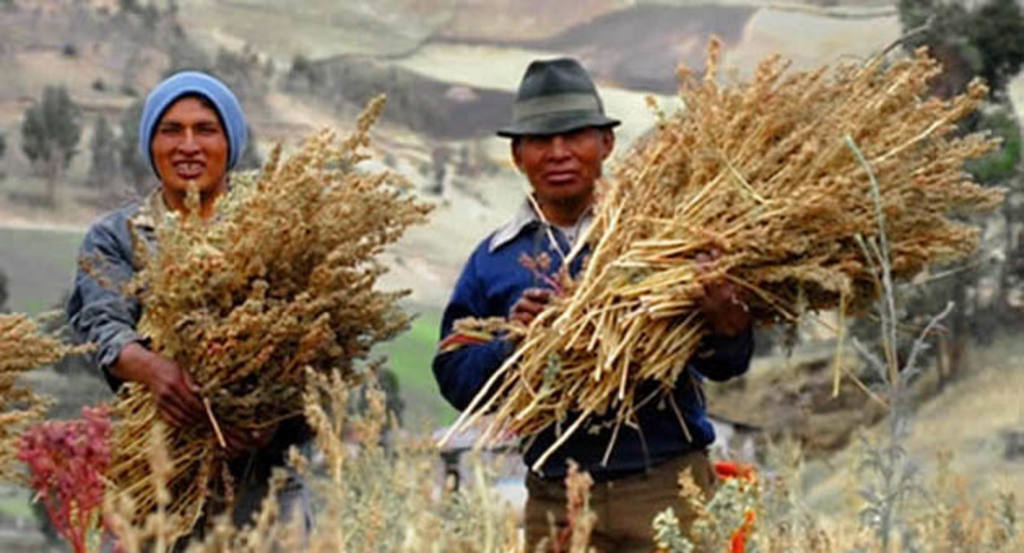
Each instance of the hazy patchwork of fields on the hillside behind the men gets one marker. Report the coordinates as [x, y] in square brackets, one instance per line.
[463, 84]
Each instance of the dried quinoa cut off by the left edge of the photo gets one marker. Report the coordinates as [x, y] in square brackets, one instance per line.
[23, 349]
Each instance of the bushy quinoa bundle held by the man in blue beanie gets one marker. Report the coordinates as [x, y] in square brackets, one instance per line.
[282, 280]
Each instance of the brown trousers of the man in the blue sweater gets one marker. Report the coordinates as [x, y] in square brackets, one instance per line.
[625, 507]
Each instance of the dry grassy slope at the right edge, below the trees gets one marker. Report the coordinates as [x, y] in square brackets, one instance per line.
[970, 436]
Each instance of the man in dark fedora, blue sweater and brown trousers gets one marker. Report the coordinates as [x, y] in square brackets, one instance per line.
[561, 140]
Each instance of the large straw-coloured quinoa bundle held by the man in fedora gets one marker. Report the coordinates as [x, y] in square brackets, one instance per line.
[776, 175]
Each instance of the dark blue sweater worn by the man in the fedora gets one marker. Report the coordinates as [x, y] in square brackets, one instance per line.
[492, 282]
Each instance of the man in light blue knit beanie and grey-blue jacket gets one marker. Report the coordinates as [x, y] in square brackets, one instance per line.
[193, 130]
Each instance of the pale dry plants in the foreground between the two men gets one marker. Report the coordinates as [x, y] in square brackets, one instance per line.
[383, 490]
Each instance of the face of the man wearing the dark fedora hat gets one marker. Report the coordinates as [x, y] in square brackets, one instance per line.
[564, 167]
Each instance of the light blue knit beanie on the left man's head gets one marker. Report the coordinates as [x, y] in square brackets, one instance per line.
[194, 82]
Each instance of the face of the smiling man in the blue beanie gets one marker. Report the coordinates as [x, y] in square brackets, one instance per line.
[190, 145]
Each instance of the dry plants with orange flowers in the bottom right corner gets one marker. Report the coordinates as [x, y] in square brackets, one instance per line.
[764, 516]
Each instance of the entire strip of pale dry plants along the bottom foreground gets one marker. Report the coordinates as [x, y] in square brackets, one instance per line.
[374, 498]
